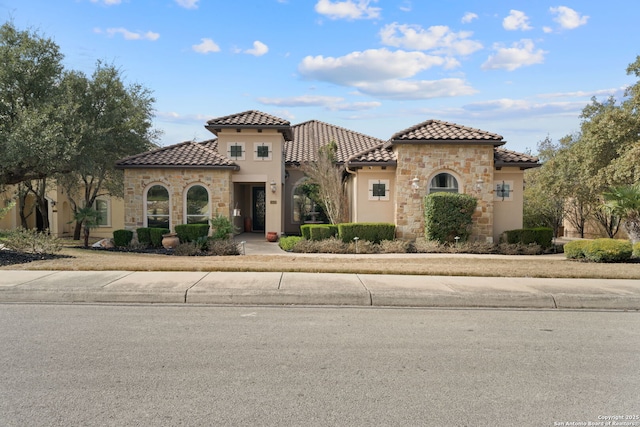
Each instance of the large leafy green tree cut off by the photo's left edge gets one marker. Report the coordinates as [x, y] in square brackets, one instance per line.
[32, 143]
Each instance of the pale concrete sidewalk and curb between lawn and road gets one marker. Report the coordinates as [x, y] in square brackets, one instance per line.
[315, 289]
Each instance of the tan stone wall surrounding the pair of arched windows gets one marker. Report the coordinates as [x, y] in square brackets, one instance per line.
[137, 181]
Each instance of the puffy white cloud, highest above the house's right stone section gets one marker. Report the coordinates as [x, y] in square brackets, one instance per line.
[438, 38]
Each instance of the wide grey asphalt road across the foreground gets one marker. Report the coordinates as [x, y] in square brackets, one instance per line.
[85, 365]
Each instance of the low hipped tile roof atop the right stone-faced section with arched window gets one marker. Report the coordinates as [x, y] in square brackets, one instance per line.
[439, 131]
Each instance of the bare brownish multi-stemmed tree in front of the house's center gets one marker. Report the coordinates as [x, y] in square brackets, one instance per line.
[329, 177]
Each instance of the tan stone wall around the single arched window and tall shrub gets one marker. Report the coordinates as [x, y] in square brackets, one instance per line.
[467, 163]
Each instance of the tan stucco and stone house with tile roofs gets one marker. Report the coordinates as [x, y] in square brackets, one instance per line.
[251, 172]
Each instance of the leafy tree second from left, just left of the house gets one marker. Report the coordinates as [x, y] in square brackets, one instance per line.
[113, 121]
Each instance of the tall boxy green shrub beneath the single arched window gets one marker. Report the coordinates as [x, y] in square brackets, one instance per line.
[448, 215]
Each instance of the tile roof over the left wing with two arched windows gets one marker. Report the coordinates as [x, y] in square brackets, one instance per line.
[186, 154]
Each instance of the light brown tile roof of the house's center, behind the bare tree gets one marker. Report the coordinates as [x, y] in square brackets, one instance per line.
[309, 136]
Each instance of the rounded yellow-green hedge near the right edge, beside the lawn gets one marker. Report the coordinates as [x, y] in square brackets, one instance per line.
[599, 250]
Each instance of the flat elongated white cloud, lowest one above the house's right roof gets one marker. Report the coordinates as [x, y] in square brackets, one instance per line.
[416, 89]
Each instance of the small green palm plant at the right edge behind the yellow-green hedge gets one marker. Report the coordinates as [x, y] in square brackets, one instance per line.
[625, 202]
